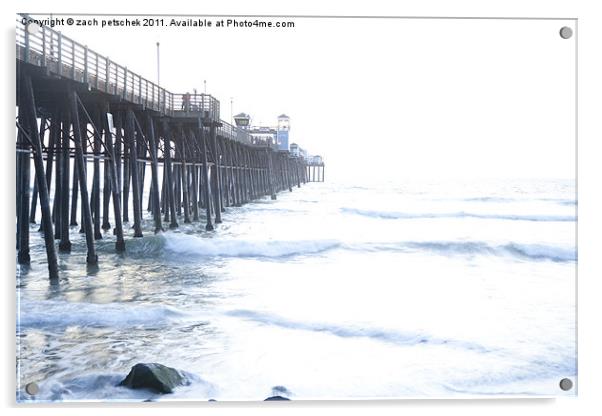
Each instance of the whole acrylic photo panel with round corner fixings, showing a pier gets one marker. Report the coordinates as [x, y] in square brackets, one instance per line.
[295, 207]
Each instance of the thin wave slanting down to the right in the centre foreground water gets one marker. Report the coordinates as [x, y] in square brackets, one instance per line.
[383, 335]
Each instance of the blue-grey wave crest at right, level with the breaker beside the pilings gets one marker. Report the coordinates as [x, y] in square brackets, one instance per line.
[534, 252]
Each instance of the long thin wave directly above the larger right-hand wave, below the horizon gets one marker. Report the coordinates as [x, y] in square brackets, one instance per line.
[460, 214]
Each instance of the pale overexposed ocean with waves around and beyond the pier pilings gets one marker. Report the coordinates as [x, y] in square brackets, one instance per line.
[332, 291]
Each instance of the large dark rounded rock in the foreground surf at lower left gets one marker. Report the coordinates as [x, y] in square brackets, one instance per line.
[155, 377]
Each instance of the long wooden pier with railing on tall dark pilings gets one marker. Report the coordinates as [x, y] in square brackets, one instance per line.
[78, 110]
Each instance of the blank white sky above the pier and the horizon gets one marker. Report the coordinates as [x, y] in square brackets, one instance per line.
[383, 98]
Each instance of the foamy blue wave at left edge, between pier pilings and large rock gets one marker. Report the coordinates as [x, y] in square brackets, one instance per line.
[50, 313]
